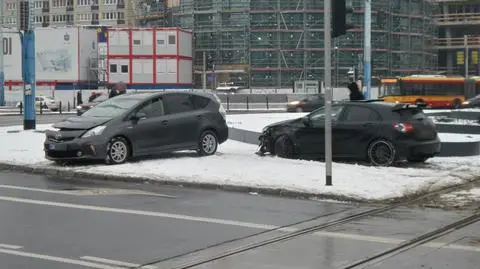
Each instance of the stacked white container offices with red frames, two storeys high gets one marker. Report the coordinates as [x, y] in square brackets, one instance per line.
[150, 58]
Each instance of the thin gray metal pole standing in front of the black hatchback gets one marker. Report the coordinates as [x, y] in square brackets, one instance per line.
[328, 89]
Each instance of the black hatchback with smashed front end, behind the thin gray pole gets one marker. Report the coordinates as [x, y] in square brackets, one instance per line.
[378, 132]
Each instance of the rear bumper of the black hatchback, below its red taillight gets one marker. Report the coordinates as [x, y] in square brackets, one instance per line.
[415, 149]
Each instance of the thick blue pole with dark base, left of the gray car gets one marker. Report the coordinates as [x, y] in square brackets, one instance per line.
[28, 62]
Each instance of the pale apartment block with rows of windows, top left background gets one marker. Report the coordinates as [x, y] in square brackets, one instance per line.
[51, 13]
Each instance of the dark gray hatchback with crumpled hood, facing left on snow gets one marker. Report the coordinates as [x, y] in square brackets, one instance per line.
[140, 124]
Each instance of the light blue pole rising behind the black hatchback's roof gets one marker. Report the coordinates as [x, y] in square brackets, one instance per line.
[367, 64]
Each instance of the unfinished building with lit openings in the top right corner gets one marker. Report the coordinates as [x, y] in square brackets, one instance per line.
[458, 24]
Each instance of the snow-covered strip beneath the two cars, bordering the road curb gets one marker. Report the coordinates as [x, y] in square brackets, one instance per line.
[236, 164]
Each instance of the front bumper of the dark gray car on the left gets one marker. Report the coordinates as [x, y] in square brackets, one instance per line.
[76, 149]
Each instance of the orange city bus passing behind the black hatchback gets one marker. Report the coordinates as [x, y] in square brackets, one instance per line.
[434, 91]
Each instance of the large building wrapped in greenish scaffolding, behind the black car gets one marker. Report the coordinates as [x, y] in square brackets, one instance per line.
[273, 43]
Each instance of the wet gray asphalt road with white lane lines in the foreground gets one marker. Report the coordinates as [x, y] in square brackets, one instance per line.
[54, 223]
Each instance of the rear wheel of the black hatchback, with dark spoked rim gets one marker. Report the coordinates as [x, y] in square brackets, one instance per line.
[378, 149]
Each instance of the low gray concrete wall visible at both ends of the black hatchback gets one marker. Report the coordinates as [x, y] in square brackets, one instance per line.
[449, 149]
